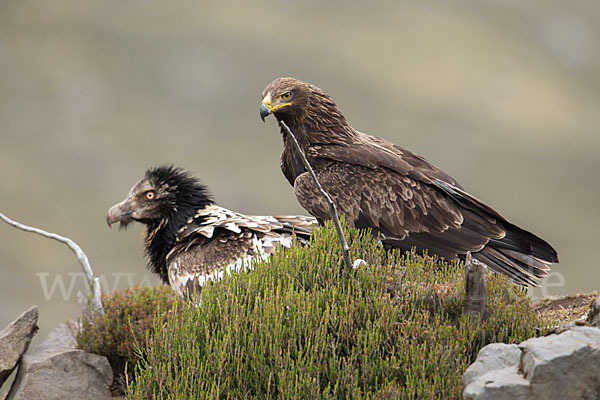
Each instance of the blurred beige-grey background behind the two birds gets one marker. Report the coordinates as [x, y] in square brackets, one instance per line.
[503, 95]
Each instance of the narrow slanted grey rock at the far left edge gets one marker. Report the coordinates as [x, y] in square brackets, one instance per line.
[15, 340]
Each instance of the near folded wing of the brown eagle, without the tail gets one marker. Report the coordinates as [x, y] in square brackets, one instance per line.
[369, 199]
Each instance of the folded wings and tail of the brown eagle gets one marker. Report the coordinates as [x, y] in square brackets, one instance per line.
[419, 206]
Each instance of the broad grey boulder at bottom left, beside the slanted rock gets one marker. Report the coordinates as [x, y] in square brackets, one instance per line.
[56, 370]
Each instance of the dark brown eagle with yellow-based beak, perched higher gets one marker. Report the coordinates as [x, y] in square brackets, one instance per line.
[393, 191]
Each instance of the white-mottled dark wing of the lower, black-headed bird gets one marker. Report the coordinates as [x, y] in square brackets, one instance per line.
[217, 241]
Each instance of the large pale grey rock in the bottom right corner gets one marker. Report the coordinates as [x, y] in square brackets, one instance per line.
[558, 366]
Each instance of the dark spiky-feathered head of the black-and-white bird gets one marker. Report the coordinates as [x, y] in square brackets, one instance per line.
[161, 193]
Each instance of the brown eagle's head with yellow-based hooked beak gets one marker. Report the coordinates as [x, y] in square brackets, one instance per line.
[288, 98]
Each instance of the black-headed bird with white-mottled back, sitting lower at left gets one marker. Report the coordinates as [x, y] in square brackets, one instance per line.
[189, 239]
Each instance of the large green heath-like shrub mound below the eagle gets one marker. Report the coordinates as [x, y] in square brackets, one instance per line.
[302, 327]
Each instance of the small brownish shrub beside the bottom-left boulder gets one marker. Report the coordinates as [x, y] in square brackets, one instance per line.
[129, 314]
